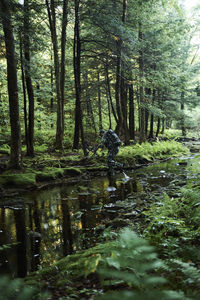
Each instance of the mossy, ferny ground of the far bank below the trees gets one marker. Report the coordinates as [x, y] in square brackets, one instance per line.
[54, 167]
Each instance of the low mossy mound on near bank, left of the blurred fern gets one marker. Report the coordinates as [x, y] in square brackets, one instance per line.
[71, 275]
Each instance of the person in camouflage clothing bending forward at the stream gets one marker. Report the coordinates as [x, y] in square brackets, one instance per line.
[111, 141]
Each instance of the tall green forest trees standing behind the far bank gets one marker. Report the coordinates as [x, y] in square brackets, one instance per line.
[74, 67]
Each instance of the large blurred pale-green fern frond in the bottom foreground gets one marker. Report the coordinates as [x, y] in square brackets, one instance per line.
[133, 265]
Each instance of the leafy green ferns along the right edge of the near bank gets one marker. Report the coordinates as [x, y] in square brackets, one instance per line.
[174, 228]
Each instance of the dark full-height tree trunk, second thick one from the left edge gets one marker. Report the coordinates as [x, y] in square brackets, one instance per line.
[30, 132]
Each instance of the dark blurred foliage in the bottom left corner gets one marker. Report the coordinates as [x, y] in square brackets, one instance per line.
[16, 289]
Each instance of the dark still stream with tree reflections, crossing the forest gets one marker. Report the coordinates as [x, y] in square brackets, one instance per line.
[42, 226]
